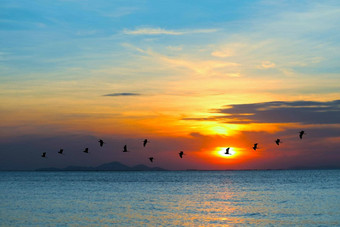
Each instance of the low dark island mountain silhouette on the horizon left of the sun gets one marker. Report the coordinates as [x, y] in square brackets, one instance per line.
[111, 166]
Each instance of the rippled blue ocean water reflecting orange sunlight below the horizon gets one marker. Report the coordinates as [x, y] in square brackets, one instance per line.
[171, 198]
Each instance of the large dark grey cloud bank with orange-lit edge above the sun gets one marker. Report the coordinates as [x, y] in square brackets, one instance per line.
[304, 112]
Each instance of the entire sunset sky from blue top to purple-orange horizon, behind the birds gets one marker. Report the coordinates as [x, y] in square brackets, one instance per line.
[193, 76]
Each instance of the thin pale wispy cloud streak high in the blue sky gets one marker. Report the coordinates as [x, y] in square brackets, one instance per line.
[161, 31]
